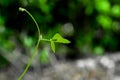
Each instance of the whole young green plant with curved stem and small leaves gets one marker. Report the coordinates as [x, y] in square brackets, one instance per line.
[57, 38]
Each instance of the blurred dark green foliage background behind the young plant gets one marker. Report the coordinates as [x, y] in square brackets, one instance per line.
[92, 26]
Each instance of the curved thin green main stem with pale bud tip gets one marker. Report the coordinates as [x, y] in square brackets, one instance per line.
[36, 47]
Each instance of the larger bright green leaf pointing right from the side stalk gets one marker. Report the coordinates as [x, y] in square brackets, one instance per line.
[58, 38]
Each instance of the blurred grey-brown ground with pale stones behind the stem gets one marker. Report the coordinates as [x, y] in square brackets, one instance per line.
[105, 67]
